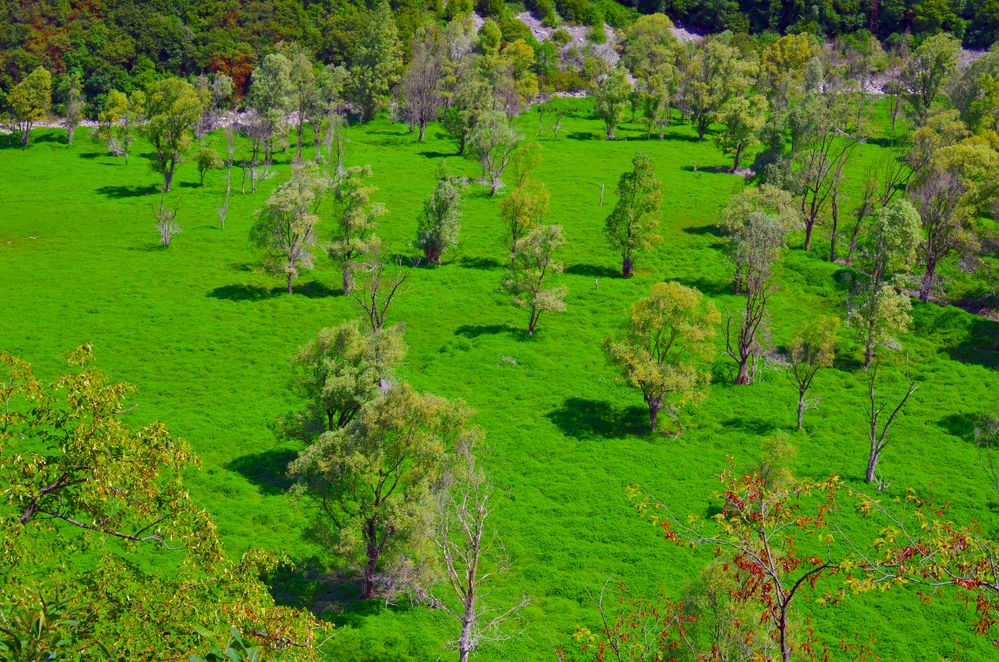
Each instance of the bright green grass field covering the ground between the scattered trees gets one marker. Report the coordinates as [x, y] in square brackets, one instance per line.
[206, 335]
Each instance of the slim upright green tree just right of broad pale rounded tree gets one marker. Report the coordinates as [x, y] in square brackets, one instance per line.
[356, 219]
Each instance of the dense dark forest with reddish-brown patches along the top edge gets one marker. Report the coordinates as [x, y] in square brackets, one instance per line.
[126, 44]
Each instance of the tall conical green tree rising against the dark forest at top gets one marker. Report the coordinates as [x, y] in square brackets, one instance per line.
[376, 61]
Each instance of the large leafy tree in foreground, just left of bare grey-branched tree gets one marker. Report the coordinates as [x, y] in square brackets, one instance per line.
[372, 479]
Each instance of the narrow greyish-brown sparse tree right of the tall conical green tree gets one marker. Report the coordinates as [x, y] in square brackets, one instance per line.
[421, 84]
